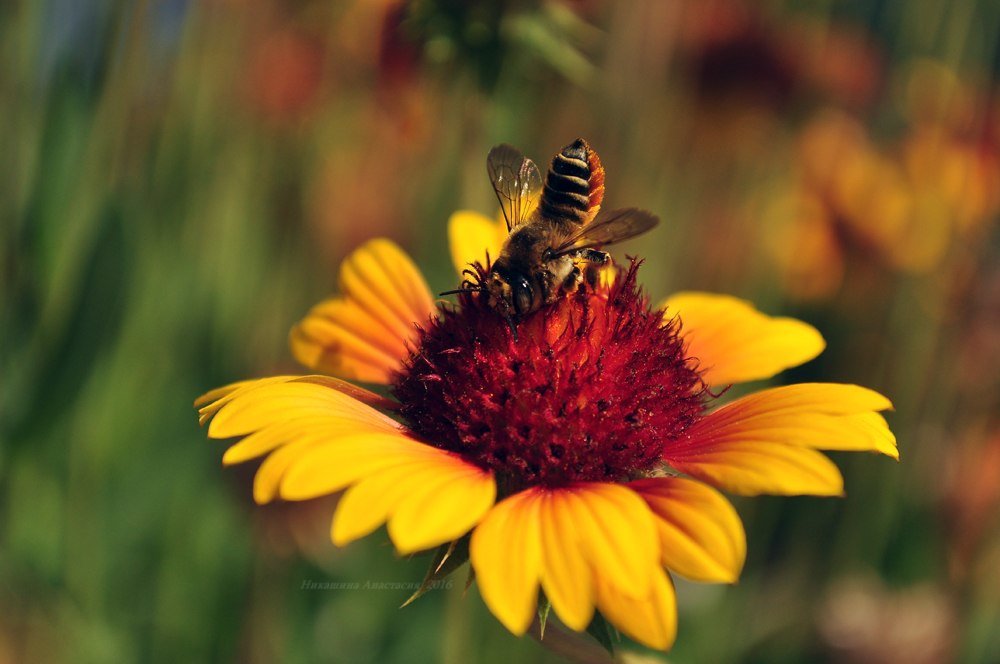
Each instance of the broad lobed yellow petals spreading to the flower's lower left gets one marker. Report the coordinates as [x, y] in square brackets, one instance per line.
[320, 440]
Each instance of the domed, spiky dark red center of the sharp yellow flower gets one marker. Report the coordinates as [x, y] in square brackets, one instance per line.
[591, 389]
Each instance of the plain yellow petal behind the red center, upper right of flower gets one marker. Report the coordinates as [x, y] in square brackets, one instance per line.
[734, 343]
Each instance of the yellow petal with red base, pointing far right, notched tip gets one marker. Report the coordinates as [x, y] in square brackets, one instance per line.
[766, 442]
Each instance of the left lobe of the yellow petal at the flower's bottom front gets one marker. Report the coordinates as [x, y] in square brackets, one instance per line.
[506, 555]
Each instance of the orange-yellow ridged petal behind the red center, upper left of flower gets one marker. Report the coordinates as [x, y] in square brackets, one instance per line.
[366, 333]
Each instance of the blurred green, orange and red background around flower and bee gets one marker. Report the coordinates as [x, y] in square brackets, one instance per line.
[180, 179]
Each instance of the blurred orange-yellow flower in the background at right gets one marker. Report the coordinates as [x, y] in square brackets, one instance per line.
[902, 206]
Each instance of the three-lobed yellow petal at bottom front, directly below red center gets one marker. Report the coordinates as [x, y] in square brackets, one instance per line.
[567, 540]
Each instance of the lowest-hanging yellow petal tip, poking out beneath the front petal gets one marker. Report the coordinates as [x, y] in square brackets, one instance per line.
[650, 620]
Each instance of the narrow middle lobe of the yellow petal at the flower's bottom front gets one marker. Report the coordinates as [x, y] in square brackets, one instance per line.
[566, 576]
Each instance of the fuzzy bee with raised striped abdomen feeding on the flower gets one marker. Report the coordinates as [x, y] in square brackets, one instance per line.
[555, 233]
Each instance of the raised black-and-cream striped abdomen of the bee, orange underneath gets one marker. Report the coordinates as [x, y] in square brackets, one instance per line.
[574, 185]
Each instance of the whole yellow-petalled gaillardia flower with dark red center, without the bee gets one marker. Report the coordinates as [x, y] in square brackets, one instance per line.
[581, 457]
